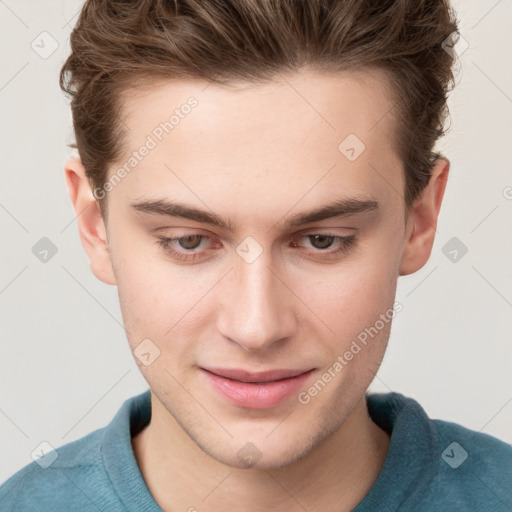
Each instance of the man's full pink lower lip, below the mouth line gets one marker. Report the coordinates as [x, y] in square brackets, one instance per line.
[253, 395]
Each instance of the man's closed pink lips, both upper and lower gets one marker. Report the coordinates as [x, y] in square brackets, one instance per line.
[262, 390]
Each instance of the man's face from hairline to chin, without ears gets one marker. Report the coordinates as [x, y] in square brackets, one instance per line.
[225, 273]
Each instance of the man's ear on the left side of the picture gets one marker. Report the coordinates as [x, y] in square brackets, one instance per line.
[91, 226]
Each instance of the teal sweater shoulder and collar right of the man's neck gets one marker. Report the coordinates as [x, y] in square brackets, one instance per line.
[433, 464]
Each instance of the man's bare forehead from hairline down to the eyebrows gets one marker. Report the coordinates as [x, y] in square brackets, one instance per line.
[290, 131]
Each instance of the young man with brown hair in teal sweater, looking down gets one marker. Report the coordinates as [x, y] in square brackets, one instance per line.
[254, 177]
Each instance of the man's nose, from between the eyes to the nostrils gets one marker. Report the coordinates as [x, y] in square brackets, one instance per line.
[257, 307]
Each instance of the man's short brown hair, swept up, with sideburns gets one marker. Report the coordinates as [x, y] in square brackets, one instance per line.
[118, 45]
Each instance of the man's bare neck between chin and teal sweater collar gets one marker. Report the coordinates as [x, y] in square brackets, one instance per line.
[335, 475]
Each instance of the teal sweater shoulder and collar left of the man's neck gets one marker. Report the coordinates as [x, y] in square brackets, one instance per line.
[95, 472]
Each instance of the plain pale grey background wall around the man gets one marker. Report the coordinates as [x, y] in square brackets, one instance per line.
[65, 365]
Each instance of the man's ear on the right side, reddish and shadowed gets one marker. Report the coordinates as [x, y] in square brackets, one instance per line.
[422, 220]
